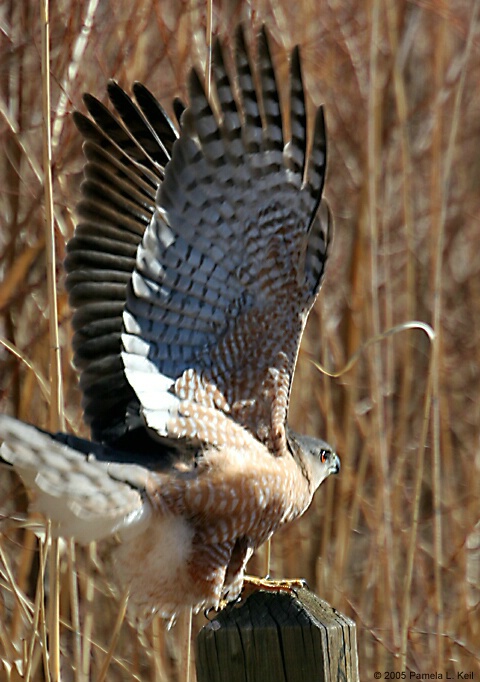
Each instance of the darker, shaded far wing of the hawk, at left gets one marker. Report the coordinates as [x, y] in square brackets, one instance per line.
[125, 165]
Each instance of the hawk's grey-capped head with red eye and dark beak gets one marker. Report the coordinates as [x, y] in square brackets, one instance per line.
[316, 457]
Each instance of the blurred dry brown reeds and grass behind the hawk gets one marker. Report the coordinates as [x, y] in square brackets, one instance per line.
[394, 541]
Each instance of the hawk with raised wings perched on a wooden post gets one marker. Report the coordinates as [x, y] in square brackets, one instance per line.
[200, 250]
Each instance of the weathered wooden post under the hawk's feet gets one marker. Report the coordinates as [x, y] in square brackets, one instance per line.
[278, 637]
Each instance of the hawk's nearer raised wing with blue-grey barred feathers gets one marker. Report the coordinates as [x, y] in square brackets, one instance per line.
[232, 260]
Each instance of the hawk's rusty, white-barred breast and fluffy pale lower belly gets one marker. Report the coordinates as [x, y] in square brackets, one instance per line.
[237, 498]
